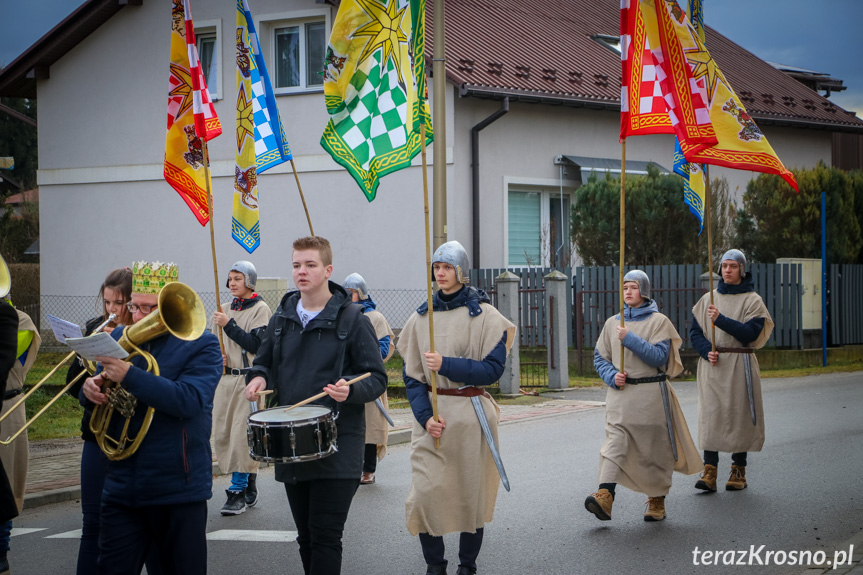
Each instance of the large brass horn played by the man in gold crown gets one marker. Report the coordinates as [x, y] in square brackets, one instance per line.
[181, 313]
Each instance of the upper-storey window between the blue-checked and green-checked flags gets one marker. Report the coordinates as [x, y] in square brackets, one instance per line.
[299, 55]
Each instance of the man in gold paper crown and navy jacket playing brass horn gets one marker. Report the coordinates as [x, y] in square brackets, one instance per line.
[158, 495]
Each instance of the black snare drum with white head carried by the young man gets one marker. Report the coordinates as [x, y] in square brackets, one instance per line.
[305, 433]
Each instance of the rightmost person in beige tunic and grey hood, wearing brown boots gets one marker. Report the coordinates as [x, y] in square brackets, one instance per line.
[730, 411]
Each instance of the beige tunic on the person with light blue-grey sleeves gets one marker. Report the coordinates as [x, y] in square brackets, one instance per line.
[637, 451]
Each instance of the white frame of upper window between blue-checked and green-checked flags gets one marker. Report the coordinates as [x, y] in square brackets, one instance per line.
[267, 24]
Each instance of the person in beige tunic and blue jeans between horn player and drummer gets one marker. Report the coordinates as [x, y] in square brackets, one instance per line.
[243, 320]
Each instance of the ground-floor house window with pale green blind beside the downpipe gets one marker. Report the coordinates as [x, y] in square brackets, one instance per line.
[538, 228]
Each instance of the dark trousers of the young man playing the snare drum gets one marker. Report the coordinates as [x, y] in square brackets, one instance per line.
[320, 509]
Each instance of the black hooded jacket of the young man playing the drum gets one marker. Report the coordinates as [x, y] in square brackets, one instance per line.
[308, 361]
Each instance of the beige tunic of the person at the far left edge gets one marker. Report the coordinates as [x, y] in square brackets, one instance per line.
[16, 457]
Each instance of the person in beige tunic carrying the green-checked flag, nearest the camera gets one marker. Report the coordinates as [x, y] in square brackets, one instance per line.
[453, 487]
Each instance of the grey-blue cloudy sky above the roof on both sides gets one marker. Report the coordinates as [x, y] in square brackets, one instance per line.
[823, 36]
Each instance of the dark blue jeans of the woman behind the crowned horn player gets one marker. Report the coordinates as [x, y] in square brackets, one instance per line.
[93, 467]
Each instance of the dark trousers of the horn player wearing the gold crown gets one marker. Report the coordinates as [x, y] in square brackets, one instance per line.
[179, 531]
